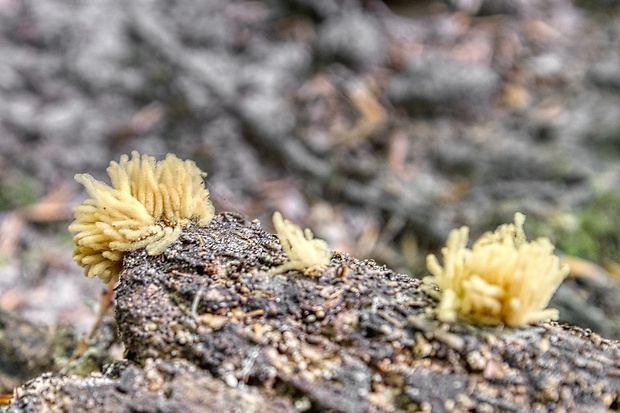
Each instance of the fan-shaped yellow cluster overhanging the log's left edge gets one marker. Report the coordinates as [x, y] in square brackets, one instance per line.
[147, 206]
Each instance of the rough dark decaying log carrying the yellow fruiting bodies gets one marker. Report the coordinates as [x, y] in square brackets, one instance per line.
[204, 325]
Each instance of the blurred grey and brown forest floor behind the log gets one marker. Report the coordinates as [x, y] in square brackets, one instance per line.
[380, 125]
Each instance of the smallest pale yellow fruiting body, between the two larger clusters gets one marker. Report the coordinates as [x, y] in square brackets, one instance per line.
[305, 253]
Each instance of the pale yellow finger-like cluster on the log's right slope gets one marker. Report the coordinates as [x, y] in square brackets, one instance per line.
[502, 279]
